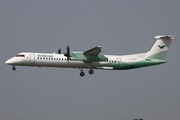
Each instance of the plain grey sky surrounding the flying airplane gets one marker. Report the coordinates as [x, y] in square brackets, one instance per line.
[121, 27]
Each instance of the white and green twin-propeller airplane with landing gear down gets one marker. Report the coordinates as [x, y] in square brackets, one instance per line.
[94, 59]
